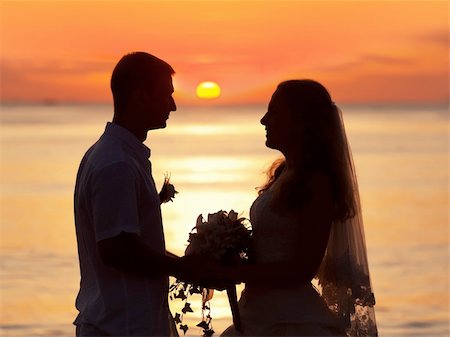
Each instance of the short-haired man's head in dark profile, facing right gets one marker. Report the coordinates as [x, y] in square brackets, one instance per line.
[142, 89]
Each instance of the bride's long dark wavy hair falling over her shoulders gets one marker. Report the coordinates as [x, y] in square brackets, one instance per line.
[320, 147]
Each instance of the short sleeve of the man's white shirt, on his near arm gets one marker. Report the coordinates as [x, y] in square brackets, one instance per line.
[115, 201]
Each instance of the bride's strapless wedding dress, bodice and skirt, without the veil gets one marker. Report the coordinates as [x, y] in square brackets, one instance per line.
[264, 311]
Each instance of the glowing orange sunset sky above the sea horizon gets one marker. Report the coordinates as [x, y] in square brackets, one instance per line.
[363, 51]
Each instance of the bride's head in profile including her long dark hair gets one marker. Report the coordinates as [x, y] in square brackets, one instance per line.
[303, 121]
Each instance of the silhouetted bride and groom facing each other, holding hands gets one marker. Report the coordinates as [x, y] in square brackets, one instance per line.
[306, 221]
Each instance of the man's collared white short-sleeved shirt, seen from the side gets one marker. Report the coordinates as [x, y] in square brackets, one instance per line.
[115, 193]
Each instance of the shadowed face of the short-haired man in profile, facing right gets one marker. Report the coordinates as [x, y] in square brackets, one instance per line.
[157, 105]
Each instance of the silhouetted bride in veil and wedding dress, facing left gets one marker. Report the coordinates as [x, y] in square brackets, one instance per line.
[306, 225]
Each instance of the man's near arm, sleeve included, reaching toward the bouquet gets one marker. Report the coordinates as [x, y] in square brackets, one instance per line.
[114, 200]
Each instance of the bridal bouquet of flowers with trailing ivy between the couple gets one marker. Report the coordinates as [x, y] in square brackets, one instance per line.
[226, 238]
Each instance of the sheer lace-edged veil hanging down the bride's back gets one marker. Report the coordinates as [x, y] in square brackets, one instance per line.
[343, 276]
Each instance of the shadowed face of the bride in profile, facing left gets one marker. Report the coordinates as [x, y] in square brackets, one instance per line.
[281, 130]
